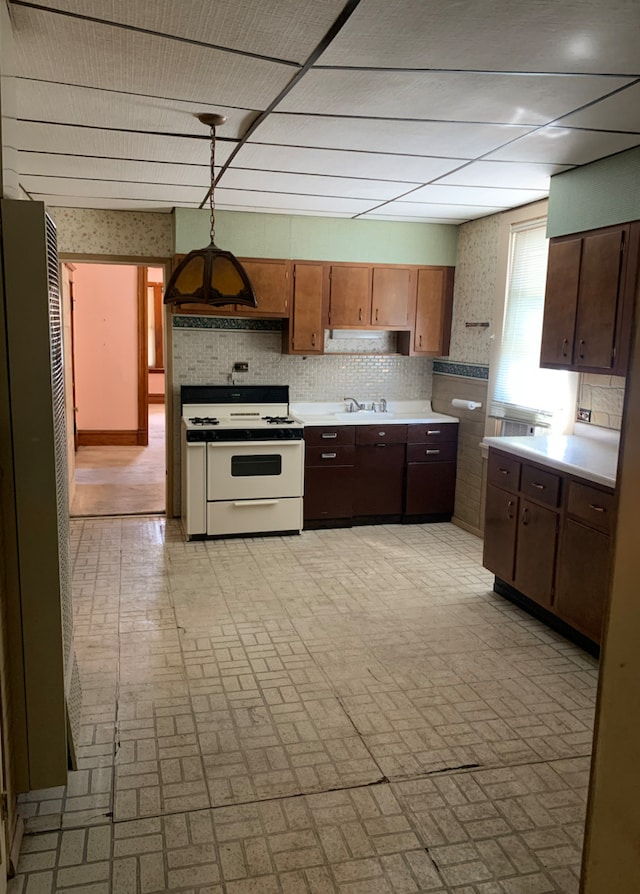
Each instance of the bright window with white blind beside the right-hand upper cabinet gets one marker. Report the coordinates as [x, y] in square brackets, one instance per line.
[522, 391]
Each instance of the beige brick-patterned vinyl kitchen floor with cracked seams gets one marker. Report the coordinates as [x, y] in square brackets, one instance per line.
[350, 711]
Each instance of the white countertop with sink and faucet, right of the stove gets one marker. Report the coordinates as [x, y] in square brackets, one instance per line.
[398, 412]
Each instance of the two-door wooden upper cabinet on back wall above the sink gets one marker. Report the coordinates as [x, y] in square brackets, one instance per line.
[368, 296]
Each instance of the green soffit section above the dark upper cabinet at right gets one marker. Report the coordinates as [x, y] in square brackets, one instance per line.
[597, 195]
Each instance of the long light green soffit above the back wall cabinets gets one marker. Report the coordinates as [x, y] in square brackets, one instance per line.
[318, 238]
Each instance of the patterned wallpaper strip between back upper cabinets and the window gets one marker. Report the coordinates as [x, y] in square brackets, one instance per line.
[474, 291]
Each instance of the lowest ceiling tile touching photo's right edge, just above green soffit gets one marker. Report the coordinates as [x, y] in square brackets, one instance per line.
[562, 145]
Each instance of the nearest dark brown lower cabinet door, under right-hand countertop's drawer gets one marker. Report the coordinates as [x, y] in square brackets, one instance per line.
[583, 578]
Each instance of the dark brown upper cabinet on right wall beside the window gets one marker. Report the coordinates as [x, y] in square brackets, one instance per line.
[591, 279]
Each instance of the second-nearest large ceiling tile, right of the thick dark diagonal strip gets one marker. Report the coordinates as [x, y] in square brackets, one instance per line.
[446, 96]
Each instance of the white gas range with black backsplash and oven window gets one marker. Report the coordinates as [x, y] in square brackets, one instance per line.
[242, 461]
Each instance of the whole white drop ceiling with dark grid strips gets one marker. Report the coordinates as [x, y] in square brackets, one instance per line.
[442, 111]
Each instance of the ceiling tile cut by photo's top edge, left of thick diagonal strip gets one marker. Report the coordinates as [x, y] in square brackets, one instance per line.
[289, 29]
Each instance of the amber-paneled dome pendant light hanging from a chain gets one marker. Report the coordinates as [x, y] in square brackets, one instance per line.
[210, 275]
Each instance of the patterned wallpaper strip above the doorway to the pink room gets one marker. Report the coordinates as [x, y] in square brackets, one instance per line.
[126, 233]
